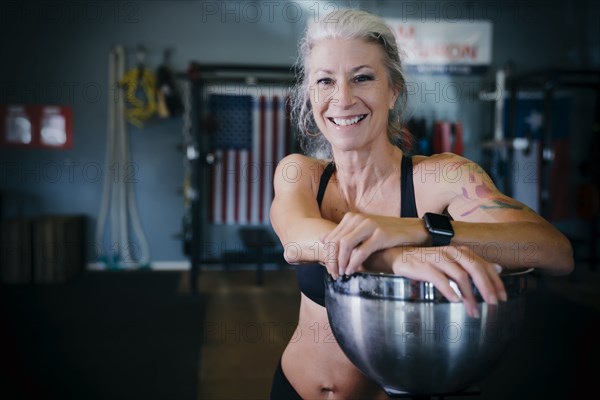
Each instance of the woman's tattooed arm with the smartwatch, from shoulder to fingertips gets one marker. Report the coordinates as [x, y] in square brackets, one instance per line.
[494, 226]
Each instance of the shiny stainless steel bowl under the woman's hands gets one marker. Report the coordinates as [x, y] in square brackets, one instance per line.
[406, 336]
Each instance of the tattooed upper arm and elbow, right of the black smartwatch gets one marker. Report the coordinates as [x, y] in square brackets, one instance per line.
[499, 228]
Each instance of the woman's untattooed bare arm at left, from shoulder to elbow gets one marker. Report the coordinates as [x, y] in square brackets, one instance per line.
[295, 214]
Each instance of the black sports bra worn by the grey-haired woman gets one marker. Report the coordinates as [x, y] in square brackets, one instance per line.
[311, 277]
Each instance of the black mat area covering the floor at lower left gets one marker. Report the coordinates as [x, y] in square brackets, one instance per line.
[104, 335]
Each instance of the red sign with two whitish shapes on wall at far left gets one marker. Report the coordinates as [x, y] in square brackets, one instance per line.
[36, 126]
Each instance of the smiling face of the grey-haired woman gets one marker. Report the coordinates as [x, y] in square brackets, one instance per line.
[350, 93]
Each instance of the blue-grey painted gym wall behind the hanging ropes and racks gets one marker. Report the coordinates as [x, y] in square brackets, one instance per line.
[56, 52]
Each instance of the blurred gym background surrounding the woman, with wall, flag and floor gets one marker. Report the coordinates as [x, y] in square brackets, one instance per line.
[138, 143]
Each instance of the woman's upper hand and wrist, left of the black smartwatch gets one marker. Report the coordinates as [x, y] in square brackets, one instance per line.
[357, 236]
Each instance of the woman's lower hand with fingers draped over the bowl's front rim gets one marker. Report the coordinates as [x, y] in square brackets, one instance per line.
[439, 265]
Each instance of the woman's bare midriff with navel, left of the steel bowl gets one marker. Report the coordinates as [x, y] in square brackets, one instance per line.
[315, 364]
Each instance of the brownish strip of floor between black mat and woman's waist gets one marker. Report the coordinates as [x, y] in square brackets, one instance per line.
[246, 329]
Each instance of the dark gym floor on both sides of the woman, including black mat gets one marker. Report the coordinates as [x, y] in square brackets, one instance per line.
[136, 335]
